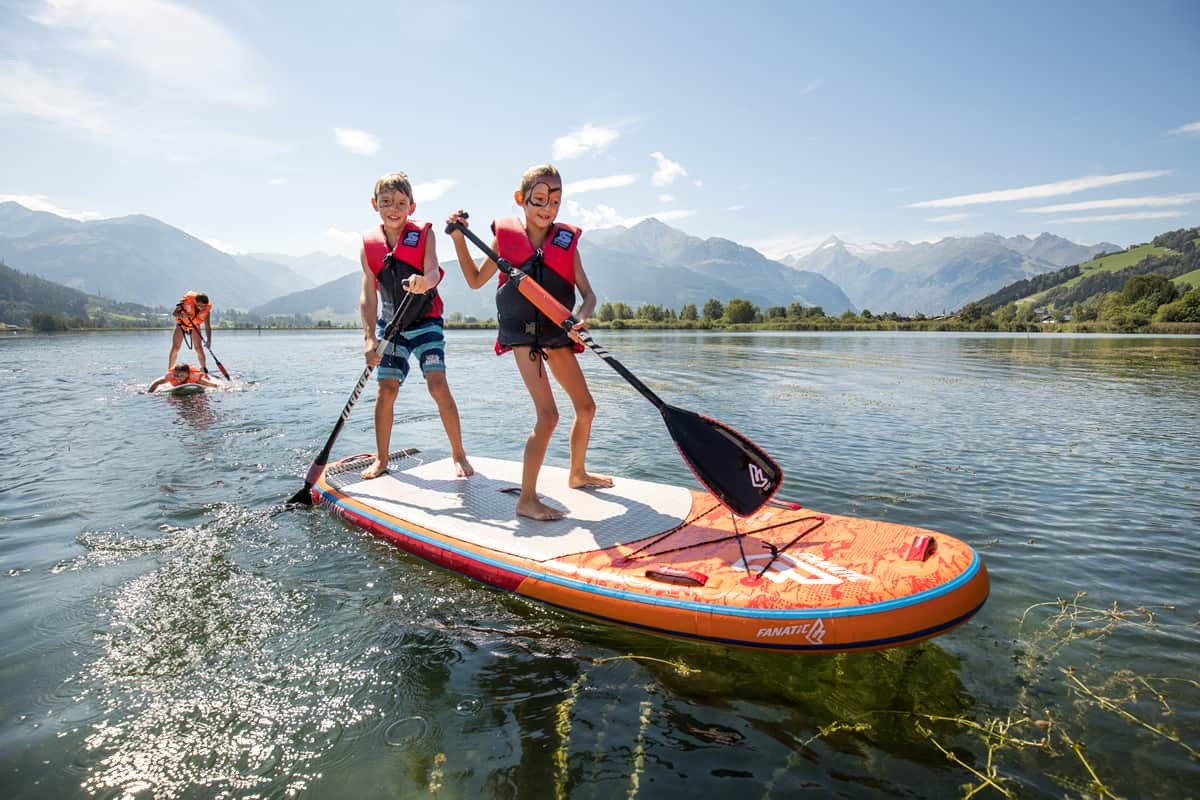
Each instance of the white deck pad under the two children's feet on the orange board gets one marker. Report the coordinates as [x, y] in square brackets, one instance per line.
[423, 489]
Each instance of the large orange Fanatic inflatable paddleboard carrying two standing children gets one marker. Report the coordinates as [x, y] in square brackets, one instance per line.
[669, 560]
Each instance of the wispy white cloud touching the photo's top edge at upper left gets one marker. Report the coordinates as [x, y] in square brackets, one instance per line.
[163, 44]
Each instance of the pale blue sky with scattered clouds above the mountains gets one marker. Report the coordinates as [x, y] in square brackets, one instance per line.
[262, 127]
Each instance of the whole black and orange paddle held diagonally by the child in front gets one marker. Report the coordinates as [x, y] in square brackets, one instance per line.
[739, 473]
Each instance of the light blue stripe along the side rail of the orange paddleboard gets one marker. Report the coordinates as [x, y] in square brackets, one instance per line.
[653, 600]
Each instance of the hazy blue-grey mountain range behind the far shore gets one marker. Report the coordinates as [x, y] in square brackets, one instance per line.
[145, 261]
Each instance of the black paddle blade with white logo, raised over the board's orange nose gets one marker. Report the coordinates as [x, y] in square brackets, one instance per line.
[735, 470]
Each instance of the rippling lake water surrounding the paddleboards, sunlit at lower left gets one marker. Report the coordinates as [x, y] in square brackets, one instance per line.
[167, 633]
